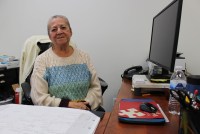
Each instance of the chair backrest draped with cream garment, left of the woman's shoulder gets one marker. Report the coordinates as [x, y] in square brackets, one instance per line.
[34, 46]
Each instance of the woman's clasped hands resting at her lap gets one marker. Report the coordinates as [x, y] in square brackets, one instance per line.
[79, 105]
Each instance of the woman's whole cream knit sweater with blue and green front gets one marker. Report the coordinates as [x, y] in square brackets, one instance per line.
[55, 78]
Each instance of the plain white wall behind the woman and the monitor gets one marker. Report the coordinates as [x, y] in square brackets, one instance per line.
[116, 33]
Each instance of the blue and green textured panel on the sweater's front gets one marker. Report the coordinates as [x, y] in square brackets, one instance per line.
[70, 81]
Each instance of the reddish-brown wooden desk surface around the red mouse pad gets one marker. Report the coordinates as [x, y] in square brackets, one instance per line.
[116, 127]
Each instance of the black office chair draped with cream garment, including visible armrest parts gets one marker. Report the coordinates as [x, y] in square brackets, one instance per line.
[39, 44]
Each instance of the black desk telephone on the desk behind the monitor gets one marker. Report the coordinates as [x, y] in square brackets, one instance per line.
[129, 72]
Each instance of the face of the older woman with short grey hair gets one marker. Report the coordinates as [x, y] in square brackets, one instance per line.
[59, 31]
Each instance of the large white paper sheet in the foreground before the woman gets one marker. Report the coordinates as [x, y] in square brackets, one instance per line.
[25, 119]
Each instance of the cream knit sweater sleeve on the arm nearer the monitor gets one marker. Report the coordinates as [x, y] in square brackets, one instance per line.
[94, 95]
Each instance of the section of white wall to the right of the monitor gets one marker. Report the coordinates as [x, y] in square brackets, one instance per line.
[189, 41]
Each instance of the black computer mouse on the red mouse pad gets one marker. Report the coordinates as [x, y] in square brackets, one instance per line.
[148, 107]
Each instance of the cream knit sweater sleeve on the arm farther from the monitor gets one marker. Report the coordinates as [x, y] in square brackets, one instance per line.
[39, 86]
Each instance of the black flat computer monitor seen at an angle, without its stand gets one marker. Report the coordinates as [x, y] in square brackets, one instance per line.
[164, 37]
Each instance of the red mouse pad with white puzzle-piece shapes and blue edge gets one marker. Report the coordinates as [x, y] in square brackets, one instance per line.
[129, 112]
